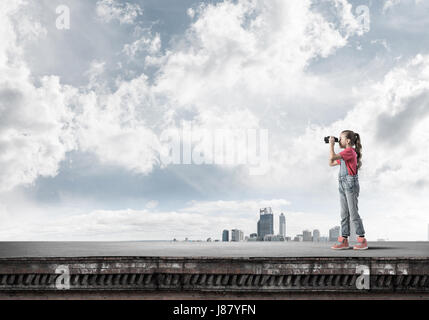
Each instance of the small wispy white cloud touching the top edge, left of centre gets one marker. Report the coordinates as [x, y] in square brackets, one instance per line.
[125, 13]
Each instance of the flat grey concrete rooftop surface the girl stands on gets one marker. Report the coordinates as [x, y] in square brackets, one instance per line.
[207, 249]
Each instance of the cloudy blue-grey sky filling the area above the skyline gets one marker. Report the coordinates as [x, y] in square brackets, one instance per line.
[91, 90]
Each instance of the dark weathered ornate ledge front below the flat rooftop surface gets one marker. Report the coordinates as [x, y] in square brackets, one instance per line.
[203, 276]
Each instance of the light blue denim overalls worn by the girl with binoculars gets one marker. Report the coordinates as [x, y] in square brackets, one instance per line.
[349, 191]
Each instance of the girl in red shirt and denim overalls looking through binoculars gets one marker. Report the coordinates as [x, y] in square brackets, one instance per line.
[350, 160]
